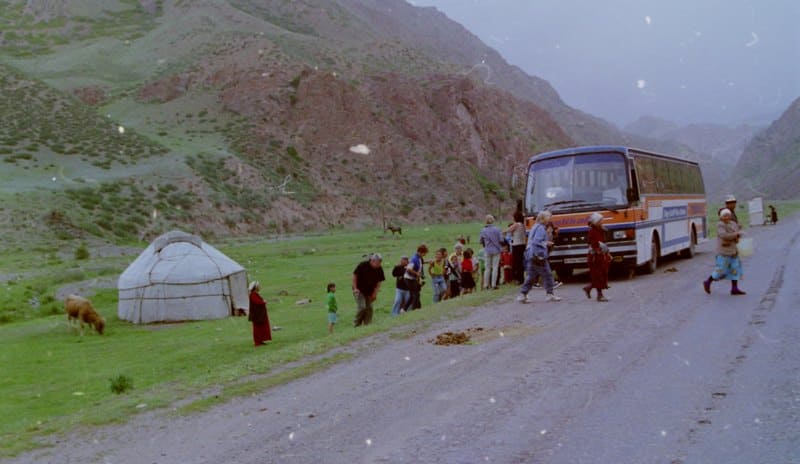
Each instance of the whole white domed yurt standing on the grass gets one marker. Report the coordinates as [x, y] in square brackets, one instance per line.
[179, 277]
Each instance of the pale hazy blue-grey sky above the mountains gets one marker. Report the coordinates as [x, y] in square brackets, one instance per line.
[721, 61]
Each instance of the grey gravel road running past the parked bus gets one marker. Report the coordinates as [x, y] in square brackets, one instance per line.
[663, 373]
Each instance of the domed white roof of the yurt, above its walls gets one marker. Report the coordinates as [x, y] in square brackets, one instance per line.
[177, 258]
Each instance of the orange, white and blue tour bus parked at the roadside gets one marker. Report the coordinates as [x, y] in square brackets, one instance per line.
[652, 204]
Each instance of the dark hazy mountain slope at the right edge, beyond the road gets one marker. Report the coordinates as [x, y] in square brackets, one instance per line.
[770, 164]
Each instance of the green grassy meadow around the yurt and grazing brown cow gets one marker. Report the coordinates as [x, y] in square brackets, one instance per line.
[56, 379]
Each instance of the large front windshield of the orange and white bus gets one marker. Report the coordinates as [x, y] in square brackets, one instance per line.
[577, 182]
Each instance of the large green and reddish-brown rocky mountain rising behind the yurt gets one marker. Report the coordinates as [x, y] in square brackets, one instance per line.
[249, 116]
